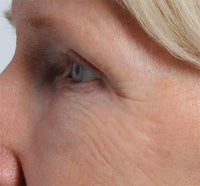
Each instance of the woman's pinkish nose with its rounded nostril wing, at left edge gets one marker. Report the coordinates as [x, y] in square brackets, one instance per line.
[12, 125]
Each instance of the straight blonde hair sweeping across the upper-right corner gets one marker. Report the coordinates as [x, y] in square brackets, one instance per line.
[175, 24]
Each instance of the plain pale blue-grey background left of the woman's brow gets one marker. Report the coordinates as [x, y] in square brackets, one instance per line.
[7, 37]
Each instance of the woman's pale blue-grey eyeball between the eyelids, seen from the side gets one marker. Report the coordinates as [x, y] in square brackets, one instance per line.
[81, 74]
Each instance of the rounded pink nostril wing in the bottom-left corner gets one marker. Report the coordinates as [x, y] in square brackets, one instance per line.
[10, 170]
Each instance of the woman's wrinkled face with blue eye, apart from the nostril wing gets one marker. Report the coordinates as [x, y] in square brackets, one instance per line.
[90, 99]
